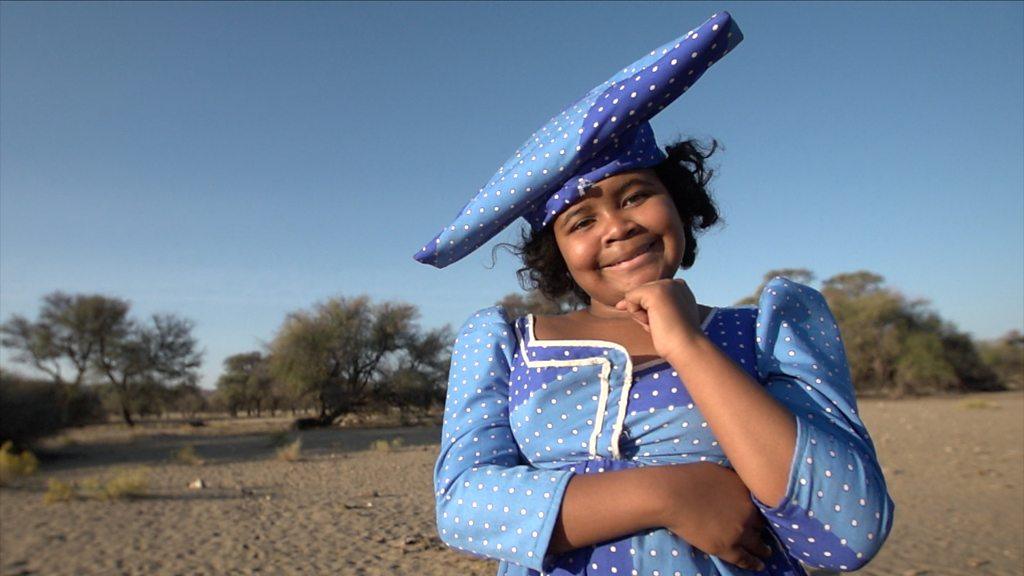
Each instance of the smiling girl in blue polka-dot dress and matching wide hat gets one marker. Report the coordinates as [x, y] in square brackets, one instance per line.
[645, 434]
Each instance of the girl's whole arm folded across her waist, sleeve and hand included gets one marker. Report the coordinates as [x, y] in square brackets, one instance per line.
[491, 504]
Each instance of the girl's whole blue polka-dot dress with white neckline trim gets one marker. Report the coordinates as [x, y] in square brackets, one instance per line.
[523, 417]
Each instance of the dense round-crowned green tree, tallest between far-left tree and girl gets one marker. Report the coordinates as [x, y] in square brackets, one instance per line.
[337, 352]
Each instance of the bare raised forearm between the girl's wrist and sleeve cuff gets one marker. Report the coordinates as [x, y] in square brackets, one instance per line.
[756, 432]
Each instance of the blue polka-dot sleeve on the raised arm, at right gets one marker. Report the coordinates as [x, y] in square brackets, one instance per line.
[837, 512]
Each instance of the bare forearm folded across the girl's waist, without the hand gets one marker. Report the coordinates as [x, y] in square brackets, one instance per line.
[609, 506]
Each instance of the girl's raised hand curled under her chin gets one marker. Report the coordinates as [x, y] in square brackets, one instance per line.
[668, 310]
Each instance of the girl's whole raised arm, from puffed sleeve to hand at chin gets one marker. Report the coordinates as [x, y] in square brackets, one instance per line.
[796, 440]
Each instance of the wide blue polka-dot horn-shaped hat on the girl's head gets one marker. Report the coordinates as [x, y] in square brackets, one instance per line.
[604, 134]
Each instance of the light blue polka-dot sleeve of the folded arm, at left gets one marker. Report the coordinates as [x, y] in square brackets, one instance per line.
[489, 502]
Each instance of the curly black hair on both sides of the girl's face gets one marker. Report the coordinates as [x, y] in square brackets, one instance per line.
[685, 176]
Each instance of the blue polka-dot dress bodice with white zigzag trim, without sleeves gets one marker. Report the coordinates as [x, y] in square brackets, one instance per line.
[576, 400]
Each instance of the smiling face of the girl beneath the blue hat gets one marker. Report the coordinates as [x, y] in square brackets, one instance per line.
[624, 233]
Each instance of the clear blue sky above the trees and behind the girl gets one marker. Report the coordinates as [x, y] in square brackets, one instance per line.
[235, 162]
